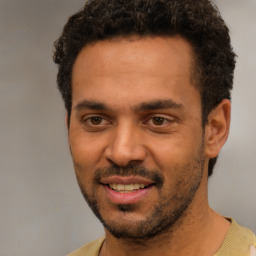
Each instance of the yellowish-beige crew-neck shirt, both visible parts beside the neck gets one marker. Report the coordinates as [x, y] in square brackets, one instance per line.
[237, 242]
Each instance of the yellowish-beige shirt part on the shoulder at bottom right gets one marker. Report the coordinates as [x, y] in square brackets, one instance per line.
[237, 241]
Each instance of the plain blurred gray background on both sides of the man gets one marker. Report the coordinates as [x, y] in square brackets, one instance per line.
[41, 209]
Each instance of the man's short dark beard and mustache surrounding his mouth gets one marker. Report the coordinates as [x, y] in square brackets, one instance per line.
[170, 207]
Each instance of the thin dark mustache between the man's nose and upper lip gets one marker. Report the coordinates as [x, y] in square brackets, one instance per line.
[129, 170]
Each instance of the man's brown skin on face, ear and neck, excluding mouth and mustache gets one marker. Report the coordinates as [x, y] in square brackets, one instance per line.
[111, 82]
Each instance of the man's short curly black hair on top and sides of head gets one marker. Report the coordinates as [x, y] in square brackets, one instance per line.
[198, 21]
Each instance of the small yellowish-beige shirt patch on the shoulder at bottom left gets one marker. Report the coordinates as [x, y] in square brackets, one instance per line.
[90, 249]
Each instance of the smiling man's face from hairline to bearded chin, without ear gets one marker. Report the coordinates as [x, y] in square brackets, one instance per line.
[135, 133]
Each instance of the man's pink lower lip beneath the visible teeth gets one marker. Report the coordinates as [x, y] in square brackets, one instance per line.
[126, 198]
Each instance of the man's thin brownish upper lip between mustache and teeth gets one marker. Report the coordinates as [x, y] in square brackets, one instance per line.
[126, 180]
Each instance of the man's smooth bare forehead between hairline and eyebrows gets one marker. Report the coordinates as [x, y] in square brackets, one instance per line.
[133, 69]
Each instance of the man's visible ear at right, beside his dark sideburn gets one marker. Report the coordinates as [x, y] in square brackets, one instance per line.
[217, 128]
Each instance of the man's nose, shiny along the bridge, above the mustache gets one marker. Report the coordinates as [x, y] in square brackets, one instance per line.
[125, 146]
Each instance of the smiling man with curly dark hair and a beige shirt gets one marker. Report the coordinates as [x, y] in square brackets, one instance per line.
[146, 85]
